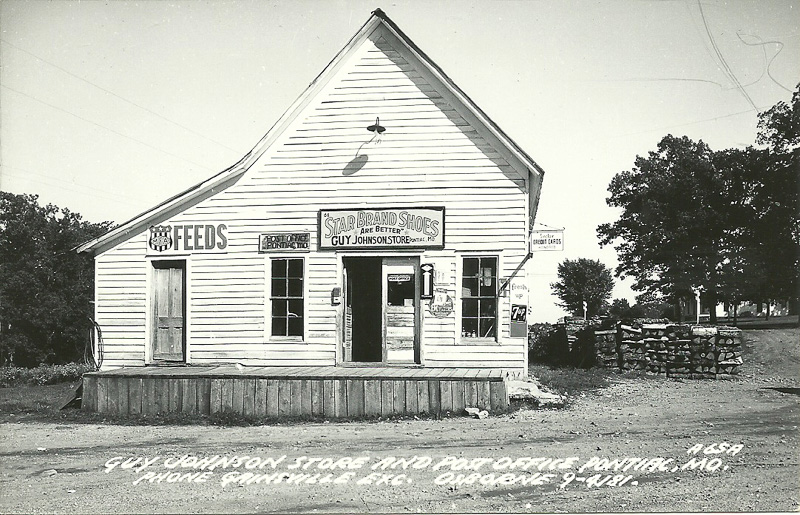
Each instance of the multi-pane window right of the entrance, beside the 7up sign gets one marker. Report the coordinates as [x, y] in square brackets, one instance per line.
[479, 297]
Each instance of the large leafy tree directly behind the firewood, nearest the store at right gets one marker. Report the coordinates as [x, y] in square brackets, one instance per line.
[672, 225]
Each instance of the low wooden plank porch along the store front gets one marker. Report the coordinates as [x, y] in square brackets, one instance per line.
[293, 392]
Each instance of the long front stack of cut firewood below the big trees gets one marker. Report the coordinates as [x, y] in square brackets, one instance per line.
[676, 350]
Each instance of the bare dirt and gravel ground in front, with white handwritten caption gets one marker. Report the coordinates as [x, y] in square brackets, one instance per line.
[659, 431]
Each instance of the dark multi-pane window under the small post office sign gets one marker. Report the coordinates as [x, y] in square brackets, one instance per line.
[286, 296]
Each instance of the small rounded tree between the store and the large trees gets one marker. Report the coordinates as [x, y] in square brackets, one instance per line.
[583, 280]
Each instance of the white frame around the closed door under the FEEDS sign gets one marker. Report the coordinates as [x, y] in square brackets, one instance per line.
[149, 309]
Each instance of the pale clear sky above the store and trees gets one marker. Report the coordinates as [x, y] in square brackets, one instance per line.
[108, 108]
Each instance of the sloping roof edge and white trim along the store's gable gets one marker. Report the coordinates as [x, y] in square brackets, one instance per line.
[230, 175]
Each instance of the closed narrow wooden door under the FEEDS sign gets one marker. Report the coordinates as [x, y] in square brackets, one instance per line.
[168, 335]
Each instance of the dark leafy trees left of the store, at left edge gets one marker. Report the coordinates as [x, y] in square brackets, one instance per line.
[46, 288]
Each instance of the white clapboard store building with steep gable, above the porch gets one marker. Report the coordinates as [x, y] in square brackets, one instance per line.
[383, 222]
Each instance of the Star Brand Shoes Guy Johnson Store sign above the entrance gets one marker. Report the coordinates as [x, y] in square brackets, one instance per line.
[413, 227]
